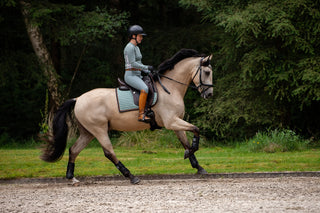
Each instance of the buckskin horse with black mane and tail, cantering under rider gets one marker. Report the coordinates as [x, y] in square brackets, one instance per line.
[96, 112]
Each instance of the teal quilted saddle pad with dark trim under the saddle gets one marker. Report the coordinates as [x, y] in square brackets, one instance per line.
[126, 101]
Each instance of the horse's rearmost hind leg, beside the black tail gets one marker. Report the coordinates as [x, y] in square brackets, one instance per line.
[83, 140]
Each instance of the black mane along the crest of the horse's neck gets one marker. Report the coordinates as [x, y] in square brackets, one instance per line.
[182, 54]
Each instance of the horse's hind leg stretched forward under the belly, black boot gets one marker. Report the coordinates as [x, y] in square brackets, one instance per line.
[105, 142]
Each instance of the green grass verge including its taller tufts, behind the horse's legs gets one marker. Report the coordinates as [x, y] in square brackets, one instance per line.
[159, 152]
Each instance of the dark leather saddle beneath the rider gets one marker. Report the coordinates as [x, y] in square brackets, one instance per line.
[136, 93]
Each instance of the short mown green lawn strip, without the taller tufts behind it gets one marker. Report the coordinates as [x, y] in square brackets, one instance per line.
[18, 163]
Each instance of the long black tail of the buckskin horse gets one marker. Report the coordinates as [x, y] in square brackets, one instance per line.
[56, 144]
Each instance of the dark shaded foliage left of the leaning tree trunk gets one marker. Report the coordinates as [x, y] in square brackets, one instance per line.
[22, 86]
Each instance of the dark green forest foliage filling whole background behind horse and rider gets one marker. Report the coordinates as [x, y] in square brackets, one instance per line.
[266, 58]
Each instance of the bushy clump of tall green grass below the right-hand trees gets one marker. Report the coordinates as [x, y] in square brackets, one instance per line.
[276, 141]
